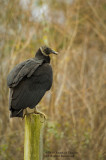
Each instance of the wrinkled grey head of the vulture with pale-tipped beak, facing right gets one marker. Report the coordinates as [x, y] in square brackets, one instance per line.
[46, 50]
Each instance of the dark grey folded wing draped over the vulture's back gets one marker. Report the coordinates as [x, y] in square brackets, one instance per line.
[21, 70]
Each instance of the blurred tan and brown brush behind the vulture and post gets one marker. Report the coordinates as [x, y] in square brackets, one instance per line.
[76, 104]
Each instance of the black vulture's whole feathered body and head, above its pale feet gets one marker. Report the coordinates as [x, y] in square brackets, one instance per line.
[29, 80]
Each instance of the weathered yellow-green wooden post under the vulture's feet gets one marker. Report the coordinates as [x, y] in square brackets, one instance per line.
[33, 144]
